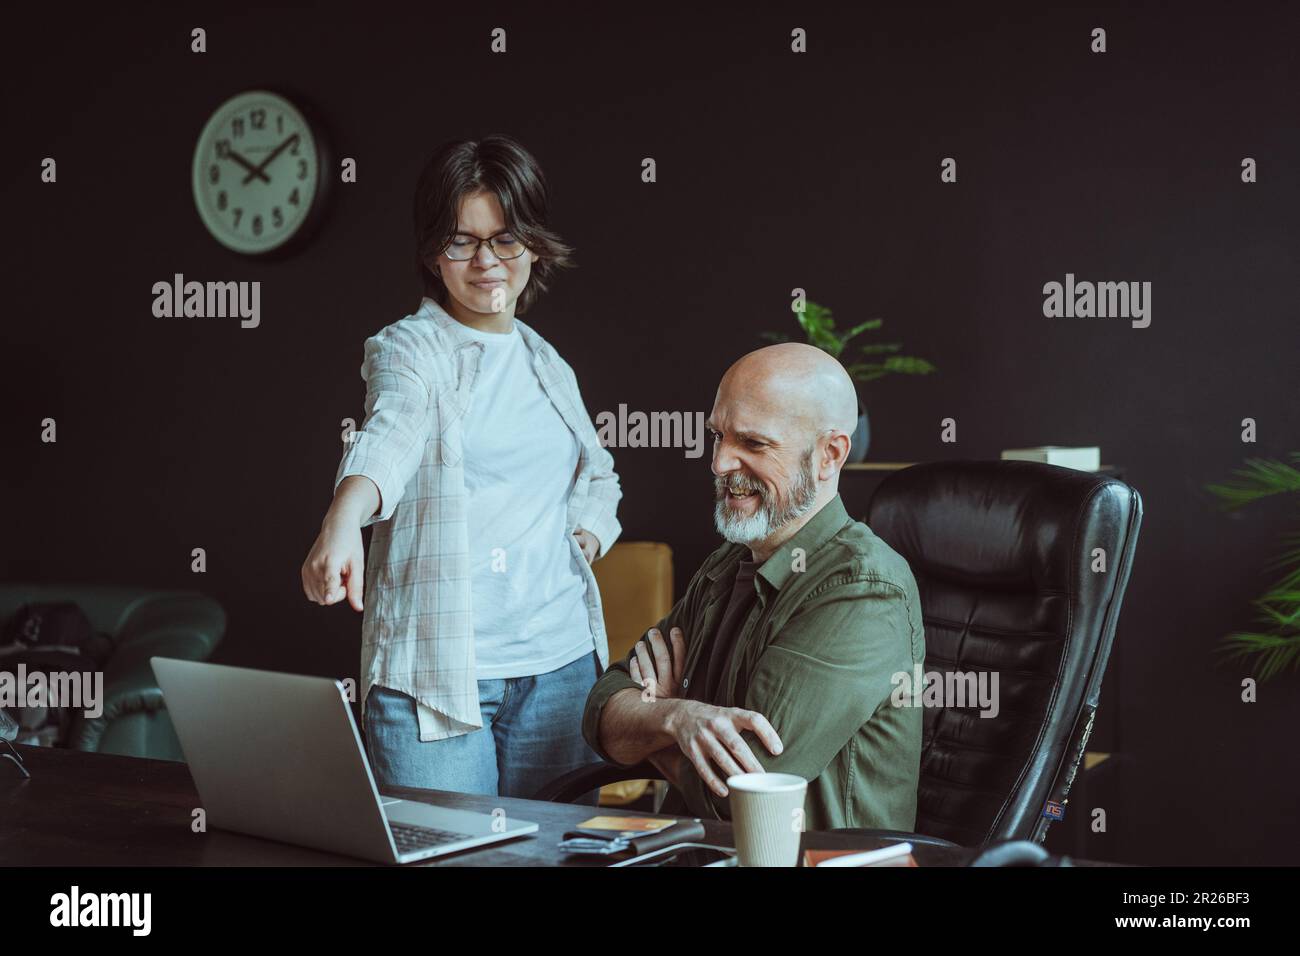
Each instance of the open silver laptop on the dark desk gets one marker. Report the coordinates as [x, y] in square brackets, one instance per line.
[279, 756]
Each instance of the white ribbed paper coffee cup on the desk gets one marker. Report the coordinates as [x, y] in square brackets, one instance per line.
[768, 817]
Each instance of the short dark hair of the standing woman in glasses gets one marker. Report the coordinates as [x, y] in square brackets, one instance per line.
[495, 165]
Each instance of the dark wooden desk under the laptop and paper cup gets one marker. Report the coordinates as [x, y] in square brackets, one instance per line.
[96, 810]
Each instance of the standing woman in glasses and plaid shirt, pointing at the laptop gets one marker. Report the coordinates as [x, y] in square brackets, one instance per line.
[489, 495]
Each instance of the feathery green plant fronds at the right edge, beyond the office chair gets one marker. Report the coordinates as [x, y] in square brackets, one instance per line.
[1277, 647]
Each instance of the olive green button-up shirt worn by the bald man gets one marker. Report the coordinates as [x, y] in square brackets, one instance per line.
[837, 618]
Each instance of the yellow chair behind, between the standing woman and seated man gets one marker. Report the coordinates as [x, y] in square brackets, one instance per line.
[636, 592]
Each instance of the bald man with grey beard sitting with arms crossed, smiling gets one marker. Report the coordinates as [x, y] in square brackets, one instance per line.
[783, 651]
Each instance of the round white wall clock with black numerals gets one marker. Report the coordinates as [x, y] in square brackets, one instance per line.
[257, 172]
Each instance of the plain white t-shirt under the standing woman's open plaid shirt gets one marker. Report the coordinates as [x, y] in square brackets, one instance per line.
[528, 600]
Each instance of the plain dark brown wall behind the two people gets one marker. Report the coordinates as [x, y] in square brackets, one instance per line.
[775, 171]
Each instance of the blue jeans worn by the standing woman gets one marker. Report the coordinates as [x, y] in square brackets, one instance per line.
[532, 734]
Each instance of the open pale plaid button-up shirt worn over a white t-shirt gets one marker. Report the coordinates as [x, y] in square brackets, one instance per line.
[418, 625]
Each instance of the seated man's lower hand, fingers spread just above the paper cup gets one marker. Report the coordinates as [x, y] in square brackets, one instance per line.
[710, 737]
